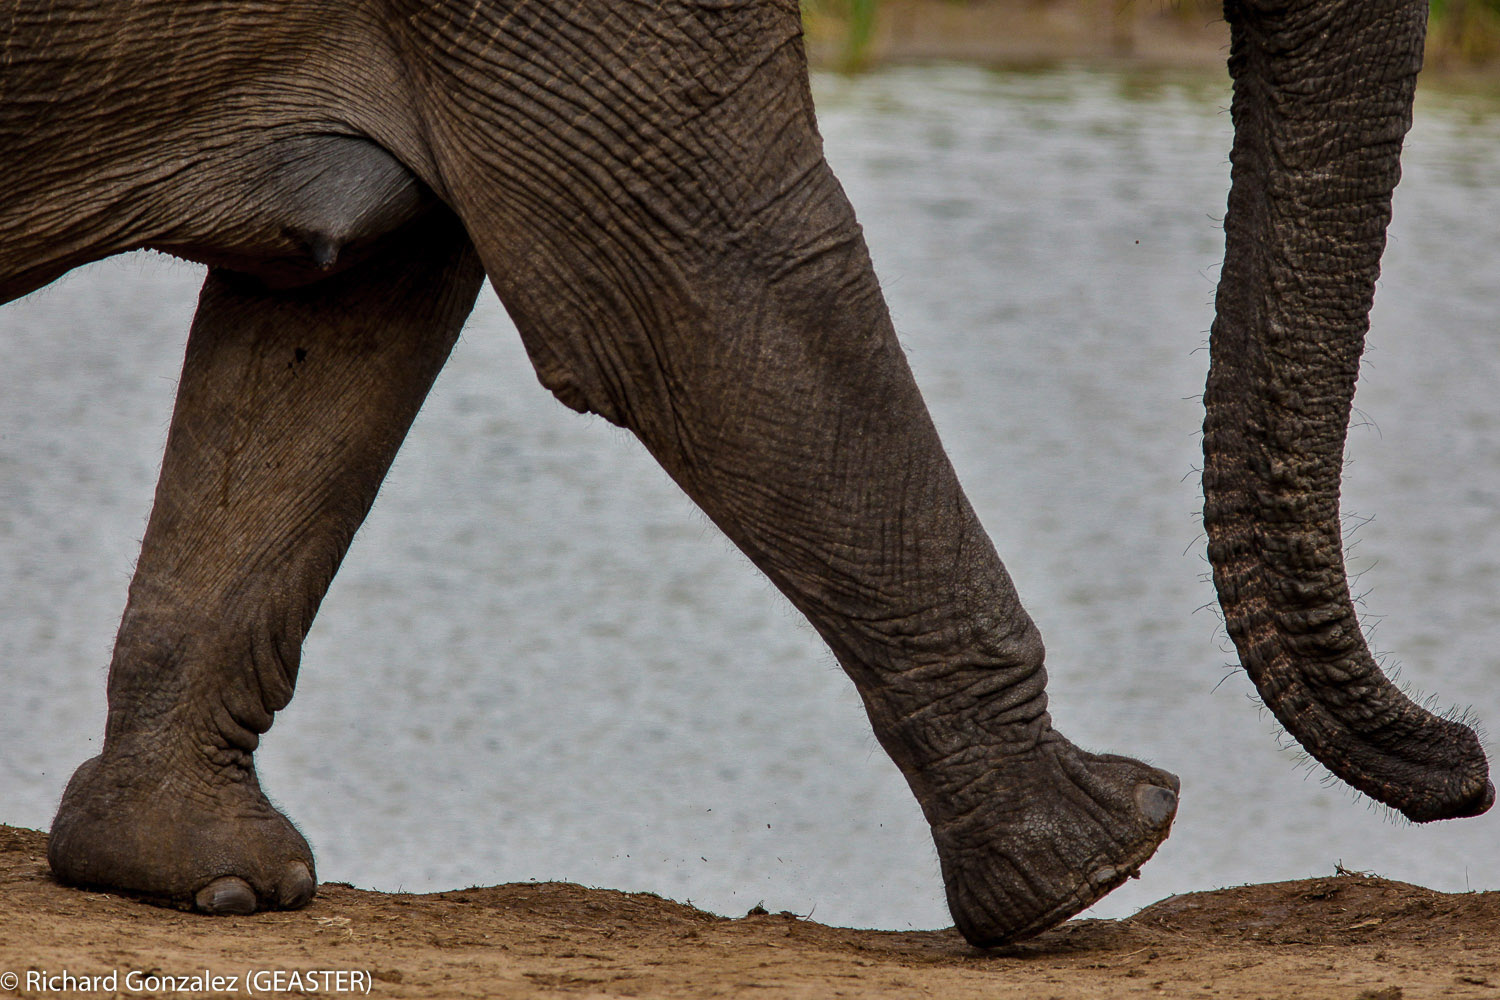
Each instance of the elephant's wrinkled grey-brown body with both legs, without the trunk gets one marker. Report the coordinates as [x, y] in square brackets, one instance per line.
[644, 184]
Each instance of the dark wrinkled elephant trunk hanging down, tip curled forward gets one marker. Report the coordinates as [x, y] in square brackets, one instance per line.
[1322, 103]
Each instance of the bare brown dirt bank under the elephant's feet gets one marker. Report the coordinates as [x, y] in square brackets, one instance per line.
[1345, 938]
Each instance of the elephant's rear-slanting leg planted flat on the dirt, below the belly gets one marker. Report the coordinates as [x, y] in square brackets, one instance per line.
[290, 410]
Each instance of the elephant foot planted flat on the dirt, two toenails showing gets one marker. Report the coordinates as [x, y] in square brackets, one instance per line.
[212, 842]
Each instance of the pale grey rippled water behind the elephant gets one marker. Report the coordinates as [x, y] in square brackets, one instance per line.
[542, 663]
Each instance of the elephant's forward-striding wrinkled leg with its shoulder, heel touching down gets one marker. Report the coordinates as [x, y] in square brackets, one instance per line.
[680, 260]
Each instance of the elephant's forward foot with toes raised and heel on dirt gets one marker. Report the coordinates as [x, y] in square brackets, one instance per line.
[1040, 836]
